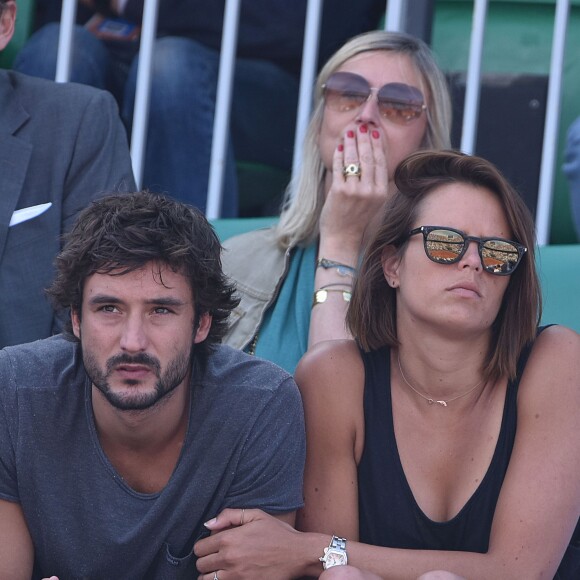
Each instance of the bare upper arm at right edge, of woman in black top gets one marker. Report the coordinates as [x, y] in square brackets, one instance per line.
[539, 504]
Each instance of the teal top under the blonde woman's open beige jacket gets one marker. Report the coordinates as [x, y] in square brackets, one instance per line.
[283, 335]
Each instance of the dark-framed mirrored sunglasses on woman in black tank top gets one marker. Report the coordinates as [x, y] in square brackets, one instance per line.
[447, 246]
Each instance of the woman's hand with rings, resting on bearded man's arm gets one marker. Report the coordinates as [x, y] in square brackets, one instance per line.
[262, 546]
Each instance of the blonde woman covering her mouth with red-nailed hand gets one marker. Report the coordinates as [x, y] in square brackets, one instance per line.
[379, 98]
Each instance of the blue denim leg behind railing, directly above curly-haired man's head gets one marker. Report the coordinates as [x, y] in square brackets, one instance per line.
[181, 118]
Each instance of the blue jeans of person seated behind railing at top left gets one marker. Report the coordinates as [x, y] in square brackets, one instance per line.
[182, 105]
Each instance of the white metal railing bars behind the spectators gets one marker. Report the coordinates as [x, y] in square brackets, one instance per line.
[395, 20]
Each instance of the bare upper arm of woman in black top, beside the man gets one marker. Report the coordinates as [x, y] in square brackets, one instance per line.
[331, 381]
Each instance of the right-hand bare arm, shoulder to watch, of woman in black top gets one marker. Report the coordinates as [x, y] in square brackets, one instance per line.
[539, 504]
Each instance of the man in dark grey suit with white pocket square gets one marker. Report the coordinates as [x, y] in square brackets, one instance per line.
[61, 145]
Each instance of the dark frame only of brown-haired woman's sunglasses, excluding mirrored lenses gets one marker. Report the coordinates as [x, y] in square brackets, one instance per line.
[481, 246]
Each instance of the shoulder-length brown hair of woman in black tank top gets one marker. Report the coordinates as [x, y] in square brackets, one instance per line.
[372, 314]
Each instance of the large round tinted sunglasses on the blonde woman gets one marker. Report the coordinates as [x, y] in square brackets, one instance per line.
[397, 102]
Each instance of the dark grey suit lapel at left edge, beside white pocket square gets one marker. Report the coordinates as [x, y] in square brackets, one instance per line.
[15, 153]
